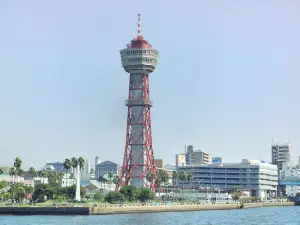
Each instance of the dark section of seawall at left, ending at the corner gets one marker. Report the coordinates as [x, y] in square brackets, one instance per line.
[44, 211]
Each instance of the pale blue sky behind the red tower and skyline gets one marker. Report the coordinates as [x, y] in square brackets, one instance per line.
[227, 80]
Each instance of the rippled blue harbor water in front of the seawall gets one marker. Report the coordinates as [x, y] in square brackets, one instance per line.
[288, 215]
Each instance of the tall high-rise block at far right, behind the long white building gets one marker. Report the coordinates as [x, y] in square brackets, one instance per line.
[281, 155]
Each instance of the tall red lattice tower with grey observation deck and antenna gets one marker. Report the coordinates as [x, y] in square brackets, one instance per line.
[139, 59]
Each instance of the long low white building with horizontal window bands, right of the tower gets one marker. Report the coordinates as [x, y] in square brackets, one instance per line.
[259, 179]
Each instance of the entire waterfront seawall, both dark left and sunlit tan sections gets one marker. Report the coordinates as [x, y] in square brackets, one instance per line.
[131, 209]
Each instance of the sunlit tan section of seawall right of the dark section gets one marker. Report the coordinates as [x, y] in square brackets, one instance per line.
[114, 210]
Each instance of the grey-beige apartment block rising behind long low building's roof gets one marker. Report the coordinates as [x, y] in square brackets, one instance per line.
[196, 157]
